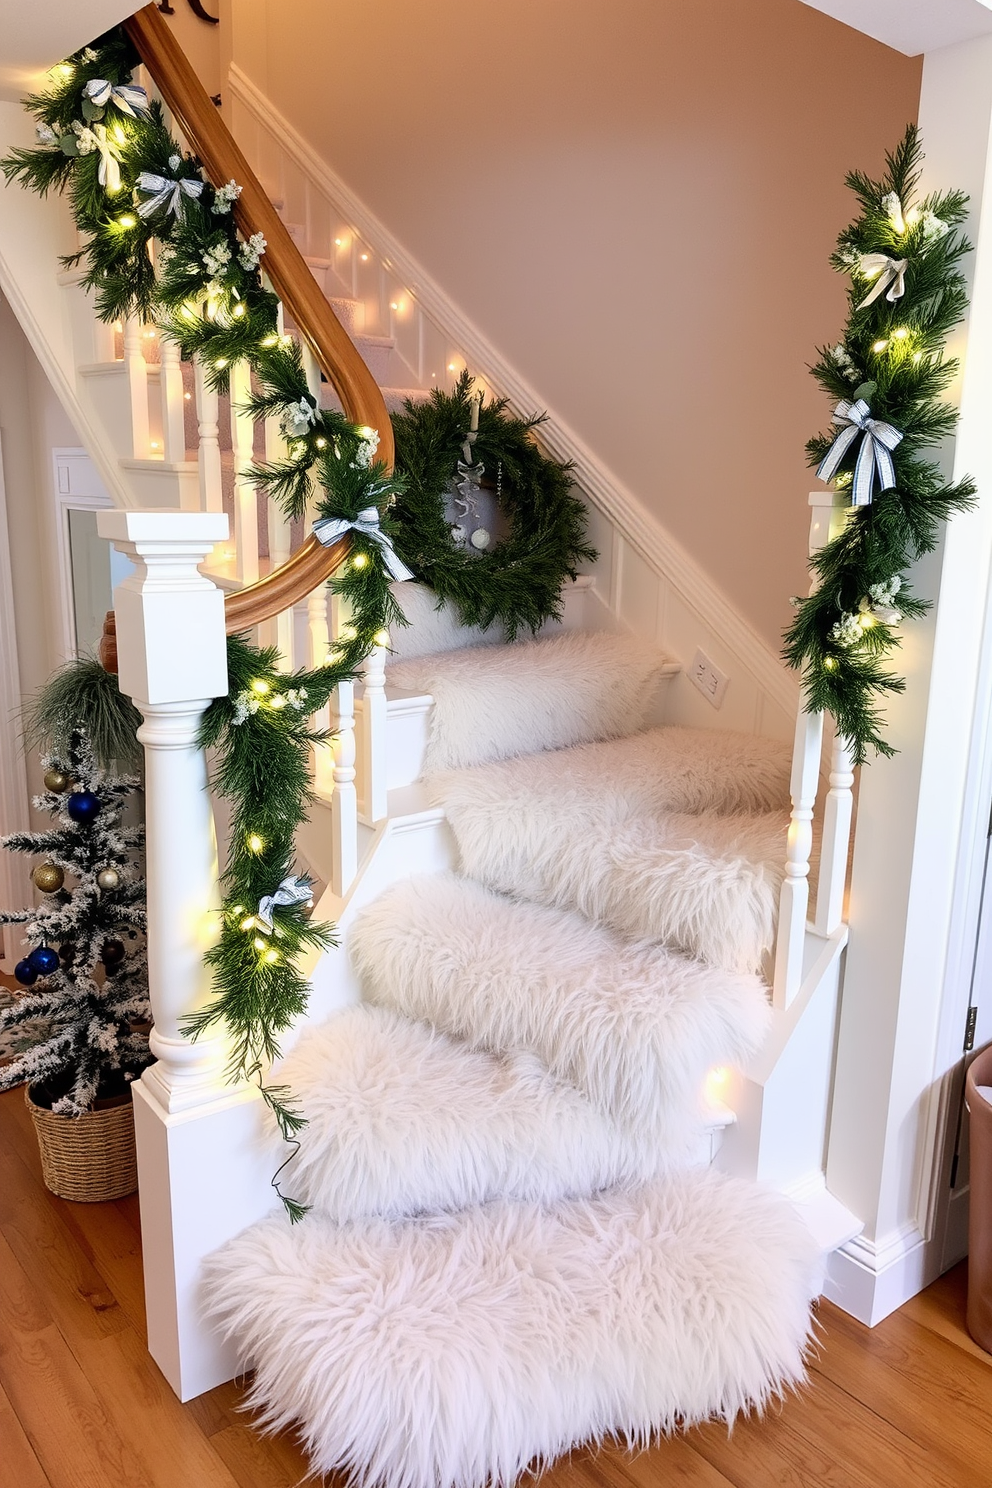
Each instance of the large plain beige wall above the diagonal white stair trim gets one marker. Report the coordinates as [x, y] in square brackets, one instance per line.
[634, 200]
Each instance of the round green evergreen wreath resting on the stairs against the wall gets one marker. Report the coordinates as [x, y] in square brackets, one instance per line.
[462, 458]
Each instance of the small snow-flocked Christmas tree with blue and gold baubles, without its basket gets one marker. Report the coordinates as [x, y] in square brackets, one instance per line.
[86, 971]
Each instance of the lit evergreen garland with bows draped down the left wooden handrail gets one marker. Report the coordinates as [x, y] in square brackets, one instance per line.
[130, 185]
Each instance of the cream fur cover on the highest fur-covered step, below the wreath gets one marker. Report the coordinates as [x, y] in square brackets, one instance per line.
[492, 703]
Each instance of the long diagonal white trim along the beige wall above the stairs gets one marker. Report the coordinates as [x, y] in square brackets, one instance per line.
[646, 535]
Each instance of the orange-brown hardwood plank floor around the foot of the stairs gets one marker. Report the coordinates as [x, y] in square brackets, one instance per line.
[906, 1405]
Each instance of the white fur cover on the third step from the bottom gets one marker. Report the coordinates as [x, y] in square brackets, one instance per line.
[631, 1026]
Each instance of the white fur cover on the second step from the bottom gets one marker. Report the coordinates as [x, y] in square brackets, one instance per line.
[404, 1121]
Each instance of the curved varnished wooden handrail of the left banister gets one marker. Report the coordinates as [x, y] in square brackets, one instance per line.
[316, 322]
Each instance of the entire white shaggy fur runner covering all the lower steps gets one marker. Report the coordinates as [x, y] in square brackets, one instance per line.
[509, 1252]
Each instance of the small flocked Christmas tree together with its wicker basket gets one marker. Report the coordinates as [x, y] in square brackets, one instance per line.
[84, 977]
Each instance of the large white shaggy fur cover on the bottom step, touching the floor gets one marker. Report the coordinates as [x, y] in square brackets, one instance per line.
[459, 1350]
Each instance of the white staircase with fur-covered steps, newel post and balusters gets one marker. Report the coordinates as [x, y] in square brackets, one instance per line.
[555, 894]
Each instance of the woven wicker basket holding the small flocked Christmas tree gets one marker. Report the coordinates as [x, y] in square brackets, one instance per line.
[88, 1158]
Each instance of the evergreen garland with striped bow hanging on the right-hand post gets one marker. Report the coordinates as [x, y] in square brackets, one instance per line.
[889, 373]
